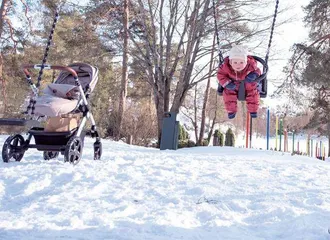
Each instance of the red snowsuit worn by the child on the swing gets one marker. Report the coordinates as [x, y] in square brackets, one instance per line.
[226, 74]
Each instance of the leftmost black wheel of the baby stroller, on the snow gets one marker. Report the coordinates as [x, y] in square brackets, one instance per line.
[13, 148]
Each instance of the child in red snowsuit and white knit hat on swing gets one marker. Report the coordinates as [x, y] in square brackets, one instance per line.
[238, 66]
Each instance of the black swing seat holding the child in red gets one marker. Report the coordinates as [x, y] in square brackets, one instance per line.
[262, 82]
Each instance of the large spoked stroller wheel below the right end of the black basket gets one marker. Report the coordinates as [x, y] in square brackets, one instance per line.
[73, 150]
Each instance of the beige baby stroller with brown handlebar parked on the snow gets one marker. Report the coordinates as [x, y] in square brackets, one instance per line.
[65, 105]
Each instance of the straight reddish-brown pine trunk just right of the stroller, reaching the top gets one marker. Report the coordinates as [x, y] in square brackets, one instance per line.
[124, 78]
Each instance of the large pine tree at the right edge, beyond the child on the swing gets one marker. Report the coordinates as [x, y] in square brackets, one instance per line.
[311, 65]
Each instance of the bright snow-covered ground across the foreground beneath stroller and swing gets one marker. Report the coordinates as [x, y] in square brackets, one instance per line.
[137, 193]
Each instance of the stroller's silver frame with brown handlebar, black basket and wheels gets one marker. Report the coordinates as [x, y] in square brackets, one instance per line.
[69, 143]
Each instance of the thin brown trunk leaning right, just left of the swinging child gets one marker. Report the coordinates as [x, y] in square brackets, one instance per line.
[206, 97]
